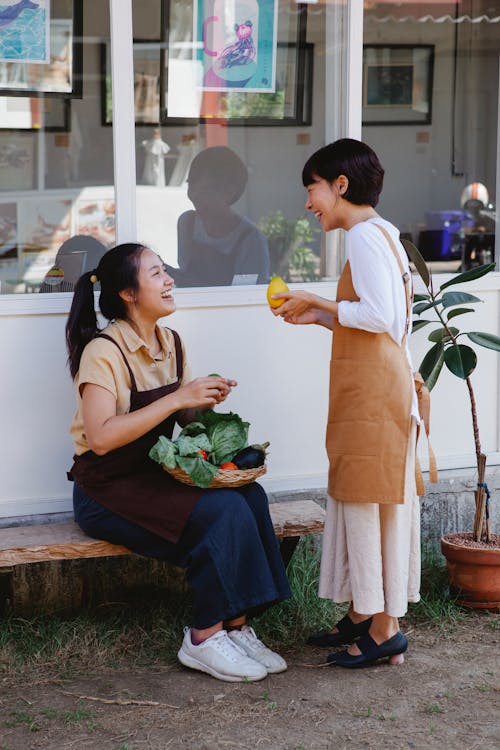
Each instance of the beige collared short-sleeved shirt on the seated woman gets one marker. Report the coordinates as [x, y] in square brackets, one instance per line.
[102, 364]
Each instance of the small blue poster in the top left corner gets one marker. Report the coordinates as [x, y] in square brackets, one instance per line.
[25, 31]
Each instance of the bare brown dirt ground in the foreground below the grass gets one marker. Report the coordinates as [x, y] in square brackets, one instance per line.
[446, 695]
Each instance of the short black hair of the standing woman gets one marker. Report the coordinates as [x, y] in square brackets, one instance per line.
[354, 159]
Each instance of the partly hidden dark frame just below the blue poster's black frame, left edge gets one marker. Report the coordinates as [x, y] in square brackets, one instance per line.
[40, 113]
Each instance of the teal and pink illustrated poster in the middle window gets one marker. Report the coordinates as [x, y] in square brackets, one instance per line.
[236, 42]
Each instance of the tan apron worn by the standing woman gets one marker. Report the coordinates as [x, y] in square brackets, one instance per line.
[369, 416]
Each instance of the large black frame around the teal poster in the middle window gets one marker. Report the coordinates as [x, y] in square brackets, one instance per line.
[195, 87]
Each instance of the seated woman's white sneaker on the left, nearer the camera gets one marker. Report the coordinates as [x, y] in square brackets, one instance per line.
[220, 657]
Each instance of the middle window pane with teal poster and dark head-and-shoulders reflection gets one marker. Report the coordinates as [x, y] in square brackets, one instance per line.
[229, 104]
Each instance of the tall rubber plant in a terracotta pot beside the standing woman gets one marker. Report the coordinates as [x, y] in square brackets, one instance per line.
[473, 557]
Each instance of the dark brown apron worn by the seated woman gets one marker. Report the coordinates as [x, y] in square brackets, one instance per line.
[128, 482]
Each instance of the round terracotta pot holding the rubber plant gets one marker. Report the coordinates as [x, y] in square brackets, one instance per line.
[474, 573]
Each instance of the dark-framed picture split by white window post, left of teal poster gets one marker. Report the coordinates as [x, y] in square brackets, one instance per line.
[147, 83]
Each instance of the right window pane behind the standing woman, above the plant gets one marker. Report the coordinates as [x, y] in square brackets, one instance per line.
[430, 110]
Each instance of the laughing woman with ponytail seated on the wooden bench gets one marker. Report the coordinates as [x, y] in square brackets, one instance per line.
[133, 384]
